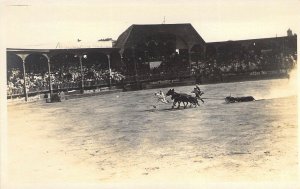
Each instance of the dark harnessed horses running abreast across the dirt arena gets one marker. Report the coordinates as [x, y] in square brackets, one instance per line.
[182, 97]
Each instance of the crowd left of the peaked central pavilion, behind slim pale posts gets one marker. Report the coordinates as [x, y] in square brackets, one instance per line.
[36, 82]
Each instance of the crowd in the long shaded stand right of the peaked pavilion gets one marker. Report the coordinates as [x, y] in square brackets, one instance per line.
[247, 64]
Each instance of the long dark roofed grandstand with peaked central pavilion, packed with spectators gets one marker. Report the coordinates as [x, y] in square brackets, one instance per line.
[144, 54]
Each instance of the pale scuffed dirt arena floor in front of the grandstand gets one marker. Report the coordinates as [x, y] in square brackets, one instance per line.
[122, 138]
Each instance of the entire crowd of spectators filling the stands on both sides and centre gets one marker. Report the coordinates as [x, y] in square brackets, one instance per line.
[246, 64]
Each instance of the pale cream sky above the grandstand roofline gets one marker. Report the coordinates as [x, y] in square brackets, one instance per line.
[44, 24]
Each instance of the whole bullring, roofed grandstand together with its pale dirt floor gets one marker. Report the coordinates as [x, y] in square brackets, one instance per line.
[112, 129]
